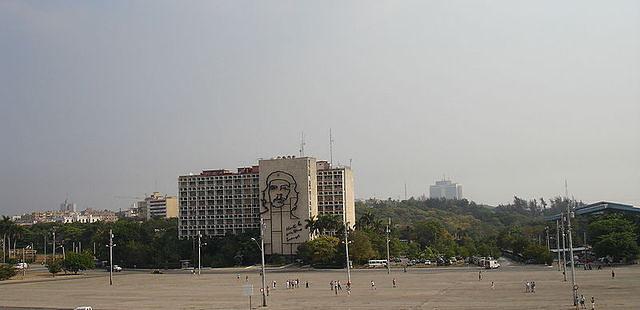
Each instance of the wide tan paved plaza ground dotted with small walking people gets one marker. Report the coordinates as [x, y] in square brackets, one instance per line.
[435, 288]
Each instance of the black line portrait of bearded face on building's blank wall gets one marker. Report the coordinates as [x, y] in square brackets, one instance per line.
[281, 193]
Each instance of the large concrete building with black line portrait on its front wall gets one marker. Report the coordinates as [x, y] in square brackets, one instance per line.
[283, 191]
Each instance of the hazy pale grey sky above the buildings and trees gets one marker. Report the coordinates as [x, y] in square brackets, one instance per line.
[117, 98]
